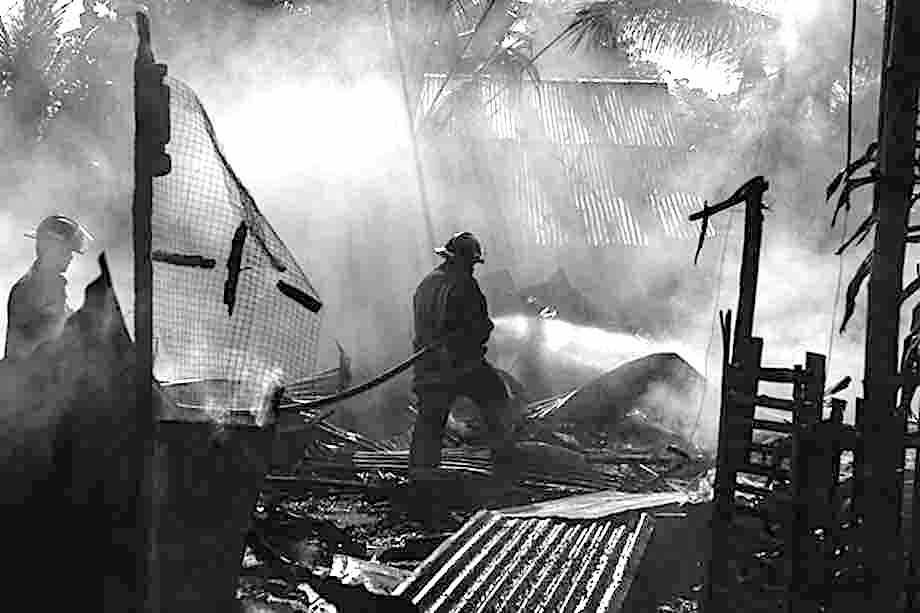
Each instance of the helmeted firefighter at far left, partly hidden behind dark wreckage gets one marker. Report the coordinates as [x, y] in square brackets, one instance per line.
[37, 307]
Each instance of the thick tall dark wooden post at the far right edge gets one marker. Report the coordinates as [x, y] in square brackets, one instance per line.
[883, 435]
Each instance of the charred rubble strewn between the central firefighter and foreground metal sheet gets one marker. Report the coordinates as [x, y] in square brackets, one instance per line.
[346, 508]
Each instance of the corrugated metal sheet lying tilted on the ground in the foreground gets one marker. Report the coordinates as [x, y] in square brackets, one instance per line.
[499, 563]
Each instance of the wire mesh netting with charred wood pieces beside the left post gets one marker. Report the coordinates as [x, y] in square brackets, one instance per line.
[230, 302]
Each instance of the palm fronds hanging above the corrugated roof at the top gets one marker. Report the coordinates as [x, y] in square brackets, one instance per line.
[474, 42]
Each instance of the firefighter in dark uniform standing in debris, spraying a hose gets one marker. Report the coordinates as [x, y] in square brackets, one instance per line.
[448, 302]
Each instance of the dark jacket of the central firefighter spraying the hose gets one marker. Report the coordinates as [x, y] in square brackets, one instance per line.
[448, 300]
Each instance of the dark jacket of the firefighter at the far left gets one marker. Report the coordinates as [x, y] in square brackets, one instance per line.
[37, 311]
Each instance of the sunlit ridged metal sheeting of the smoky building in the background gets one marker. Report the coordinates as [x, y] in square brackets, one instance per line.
[586, 122]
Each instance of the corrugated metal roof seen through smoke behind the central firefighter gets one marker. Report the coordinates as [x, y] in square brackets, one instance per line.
[585, 161]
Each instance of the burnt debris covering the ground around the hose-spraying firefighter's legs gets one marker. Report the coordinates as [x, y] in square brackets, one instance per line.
[344, 513]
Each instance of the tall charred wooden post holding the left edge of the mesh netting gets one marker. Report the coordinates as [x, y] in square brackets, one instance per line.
[151, 122]
